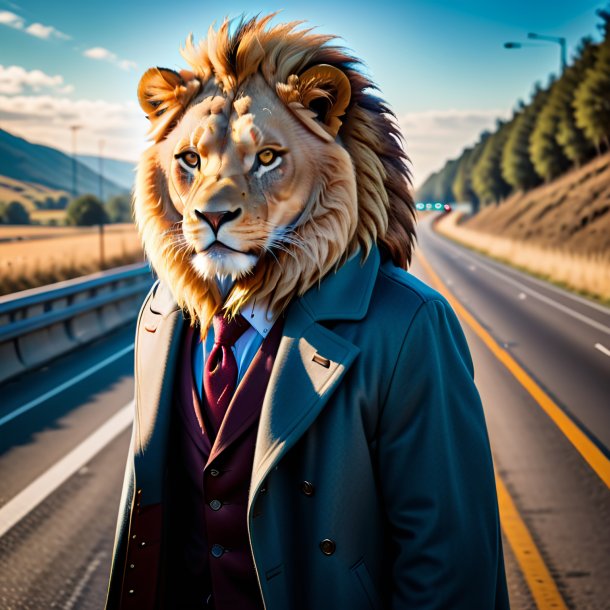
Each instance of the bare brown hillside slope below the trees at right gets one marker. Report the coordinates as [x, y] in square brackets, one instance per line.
[571, 213]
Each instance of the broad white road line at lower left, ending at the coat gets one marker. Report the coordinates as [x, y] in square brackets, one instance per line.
[28, 499]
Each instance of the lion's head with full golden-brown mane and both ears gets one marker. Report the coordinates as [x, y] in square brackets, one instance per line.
[272, 163]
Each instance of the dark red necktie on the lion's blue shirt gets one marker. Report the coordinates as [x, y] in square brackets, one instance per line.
[220, 370]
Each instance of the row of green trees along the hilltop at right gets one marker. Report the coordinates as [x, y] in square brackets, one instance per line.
[564, 125]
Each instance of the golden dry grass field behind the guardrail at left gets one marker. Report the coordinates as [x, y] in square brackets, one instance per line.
[45, 254]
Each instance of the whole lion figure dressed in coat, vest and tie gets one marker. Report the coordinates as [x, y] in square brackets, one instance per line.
[328, 449]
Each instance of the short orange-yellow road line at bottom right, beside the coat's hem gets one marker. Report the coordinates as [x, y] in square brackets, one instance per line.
[538, 578]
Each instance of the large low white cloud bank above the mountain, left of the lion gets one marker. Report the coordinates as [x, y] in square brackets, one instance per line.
[47, 119]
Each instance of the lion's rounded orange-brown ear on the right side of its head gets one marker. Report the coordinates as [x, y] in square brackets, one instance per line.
[326, 91]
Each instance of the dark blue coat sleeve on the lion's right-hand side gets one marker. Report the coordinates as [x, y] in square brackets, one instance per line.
[436, 474]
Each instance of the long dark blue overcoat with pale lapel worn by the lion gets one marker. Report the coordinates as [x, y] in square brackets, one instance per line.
[372, 485]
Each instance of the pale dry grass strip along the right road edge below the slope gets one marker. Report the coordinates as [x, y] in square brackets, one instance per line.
[587, 274]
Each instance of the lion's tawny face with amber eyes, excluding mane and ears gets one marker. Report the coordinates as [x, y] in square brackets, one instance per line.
[241, 171]
